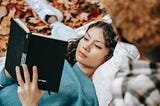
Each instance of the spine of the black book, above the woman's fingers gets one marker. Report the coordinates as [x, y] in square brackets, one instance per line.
[25, 49]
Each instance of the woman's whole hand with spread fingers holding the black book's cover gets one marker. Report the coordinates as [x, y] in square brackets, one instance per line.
[29, 93]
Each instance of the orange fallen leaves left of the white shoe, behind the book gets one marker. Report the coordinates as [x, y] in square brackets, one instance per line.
[17, 9]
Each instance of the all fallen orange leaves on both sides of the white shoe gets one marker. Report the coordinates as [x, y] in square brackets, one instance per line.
[76, 13]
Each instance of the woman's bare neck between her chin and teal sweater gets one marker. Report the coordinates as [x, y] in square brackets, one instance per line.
[87, 70]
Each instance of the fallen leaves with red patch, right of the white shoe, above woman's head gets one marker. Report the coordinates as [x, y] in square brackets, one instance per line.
[79, 12]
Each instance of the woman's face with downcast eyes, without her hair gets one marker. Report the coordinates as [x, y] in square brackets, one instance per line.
[91, 50]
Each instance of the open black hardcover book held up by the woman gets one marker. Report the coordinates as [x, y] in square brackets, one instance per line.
[47, 53]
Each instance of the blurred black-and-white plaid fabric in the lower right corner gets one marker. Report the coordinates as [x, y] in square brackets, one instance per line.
[140, 86]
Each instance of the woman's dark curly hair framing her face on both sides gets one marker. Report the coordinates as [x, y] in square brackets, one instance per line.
[109, 35]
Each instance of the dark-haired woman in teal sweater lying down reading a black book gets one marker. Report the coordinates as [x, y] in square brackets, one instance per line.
[93, 49]
